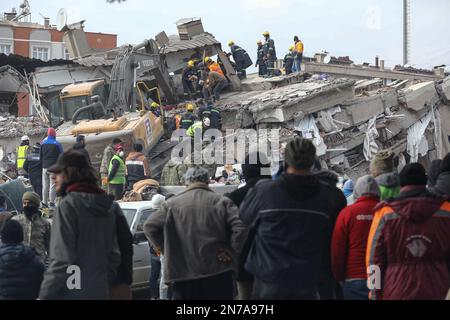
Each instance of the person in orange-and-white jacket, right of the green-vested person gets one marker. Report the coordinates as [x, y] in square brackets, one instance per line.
[137, 166]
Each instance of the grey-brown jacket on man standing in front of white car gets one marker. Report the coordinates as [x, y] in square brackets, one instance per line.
[191, 229]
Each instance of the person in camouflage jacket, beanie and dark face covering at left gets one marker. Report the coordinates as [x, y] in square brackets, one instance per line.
[36, 229]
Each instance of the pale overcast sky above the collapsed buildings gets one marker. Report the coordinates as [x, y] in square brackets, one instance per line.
[360, 29]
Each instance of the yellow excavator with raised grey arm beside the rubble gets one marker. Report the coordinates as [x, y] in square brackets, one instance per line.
[120, 109]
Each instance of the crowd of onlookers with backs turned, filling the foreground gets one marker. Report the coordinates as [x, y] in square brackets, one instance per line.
[292, 236]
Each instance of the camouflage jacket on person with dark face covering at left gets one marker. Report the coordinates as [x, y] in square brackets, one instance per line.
[36, 233]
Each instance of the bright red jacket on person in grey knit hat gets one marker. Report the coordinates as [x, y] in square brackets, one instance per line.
[348, 247]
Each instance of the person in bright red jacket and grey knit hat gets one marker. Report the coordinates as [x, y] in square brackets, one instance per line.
[349, 243]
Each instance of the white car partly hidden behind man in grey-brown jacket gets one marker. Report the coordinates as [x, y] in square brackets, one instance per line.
[136, 214]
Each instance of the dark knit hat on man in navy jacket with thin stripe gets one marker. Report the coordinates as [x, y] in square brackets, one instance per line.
[300, 154]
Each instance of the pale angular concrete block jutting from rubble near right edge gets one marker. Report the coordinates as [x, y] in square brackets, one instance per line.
[419, 96]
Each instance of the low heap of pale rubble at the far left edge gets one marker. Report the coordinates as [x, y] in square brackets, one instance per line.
[13, 127]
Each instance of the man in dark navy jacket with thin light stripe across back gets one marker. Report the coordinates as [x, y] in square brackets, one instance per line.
[291, 217]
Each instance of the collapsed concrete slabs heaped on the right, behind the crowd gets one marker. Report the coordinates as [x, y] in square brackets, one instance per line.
[350, 120]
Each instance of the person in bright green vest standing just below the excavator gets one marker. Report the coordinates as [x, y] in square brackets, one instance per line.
[116, 173]
